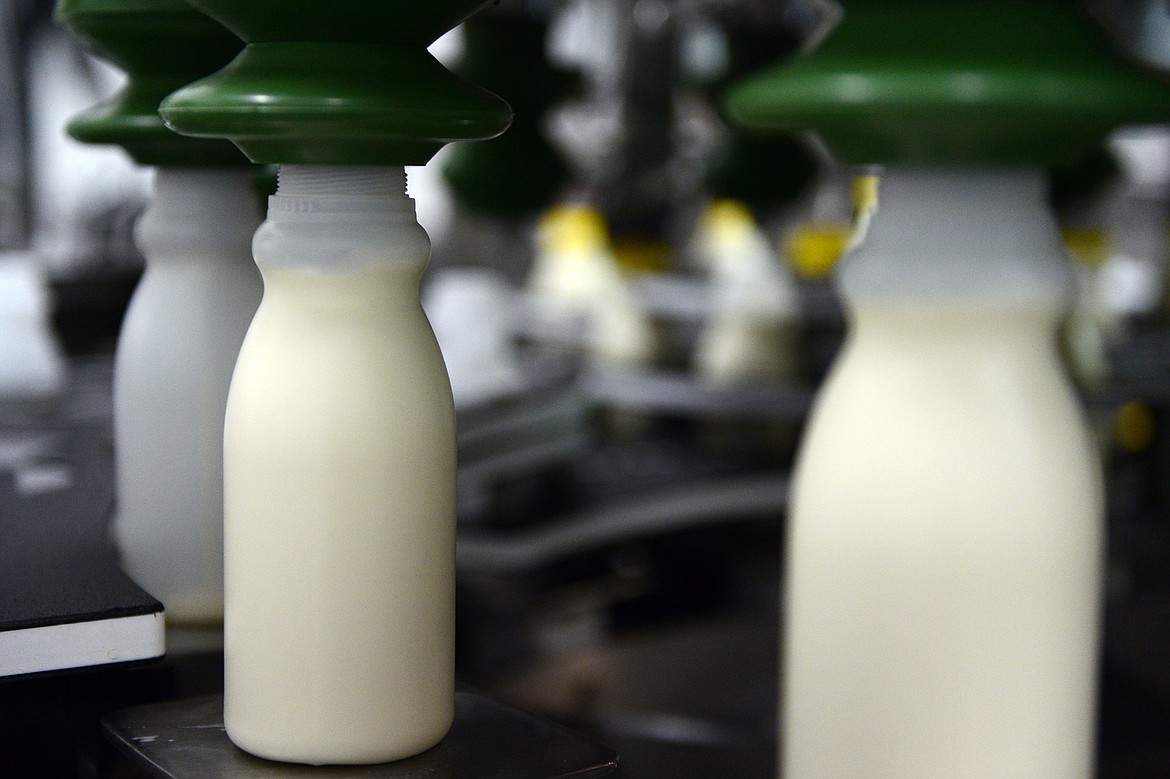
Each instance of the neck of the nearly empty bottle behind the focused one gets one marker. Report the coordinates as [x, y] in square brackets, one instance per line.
[207, 215]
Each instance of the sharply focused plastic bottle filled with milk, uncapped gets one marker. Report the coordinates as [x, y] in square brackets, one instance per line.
[340, 486]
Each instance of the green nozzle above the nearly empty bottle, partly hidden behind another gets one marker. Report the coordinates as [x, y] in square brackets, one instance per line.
[162, 45]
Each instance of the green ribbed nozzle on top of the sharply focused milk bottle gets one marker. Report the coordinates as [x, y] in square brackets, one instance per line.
[347, 82]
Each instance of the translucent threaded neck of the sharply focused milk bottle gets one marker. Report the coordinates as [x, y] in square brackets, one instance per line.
[341, 220]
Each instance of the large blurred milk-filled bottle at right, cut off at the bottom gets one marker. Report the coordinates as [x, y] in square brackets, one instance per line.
[945, 550]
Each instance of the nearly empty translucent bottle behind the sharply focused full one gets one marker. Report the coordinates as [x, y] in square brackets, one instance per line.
[178, 344]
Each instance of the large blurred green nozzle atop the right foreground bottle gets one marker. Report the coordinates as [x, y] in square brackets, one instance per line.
[962, 82]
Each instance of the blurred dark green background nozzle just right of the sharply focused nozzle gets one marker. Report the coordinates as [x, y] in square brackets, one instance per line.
[520, 174]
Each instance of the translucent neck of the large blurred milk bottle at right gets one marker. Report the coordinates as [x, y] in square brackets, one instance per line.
[960, 238]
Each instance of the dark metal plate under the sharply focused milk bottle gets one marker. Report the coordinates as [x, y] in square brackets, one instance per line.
[185, 740]
